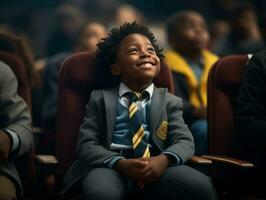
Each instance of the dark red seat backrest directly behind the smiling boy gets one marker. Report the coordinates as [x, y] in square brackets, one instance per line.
[76, 81]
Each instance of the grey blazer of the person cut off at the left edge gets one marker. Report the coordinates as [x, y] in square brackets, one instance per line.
[15, 116]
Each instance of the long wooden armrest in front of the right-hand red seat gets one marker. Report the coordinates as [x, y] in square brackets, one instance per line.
[229, 161]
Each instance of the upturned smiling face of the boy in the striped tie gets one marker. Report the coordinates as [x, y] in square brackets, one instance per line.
[137, 62]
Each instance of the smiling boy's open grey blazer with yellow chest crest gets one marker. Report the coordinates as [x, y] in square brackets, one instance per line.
[169, 132]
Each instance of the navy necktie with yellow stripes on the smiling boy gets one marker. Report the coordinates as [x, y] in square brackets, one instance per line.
[139, 143]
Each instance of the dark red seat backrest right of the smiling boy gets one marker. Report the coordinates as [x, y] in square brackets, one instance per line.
[223, 86]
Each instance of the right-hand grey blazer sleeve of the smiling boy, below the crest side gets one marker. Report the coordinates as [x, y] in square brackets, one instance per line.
[180, 139]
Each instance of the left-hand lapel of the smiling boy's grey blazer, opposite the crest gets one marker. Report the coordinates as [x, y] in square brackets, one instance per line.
[110, 103]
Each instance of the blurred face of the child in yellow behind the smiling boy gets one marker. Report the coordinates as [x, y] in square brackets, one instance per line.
[192, 32]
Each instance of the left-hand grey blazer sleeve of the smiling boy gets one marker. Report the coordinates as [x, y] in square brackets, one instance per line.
[92, 146]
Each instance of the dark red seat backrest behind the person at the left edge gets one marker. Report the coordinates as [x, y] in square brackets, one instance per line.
[25, 164]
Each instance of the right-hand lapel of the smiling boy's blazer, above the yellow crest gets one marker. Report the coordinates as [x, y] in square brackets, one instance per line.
[156, 108]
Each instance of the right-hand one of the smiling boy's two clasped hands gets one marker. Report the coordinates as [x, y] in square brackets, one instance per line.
[155, 167]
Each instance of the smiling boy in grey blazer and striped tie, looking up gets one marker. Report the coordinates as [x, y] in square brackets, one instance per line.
[114, 158]
